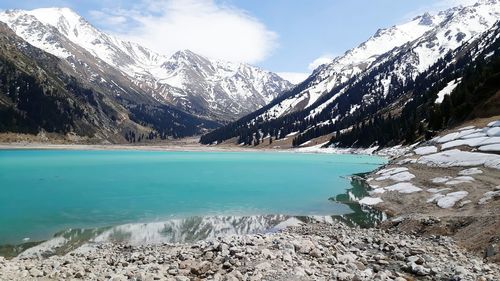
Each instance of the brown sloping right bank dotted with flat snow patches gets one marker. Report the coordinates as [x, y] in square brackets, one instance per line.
[449, 185]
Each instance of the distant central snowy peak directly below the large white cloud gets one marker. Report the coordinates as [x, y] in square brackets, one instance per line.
[225, 89]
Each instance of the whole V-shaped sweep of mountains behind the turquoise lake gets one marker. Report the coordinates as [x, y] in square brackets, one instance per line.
[403, 84]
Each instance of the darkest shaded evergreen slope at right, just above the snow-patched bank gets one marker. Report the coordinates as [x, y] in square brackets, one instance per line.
[477, 95]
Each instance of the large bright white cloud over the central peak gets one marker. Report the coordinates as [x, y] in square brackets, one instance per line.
[202, 26]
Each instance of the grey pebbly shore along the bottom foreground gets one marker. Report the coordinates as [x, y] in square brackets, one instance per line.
[308, 252]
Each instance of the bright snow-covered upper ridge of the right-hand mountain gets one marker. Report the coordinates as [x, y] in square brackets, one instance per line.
[424, 39]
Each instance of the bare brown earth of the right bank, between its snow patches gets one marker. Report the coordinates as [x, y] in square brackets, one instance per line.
[473, 221]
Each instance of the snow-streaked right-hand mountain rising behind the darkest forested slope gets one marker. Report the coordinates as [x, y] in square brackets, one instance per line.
[368, 78]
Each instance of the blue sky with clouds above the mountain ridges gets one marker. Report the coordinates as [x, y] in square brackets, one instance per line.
[289, 37]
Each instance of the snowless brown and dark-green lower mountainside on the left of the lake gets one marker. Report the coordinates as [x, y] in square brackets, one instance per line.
[42, 93]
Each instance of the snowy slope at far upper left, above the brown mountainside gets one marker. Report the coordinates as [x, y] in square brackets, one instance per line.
[37, 27]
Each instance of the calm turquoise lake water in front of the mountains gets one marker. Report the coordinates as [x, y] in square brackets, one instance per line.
[46, 191]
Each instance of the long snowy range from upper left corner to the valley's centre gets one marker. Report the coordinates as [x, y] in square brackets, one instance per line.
[209, 88]
